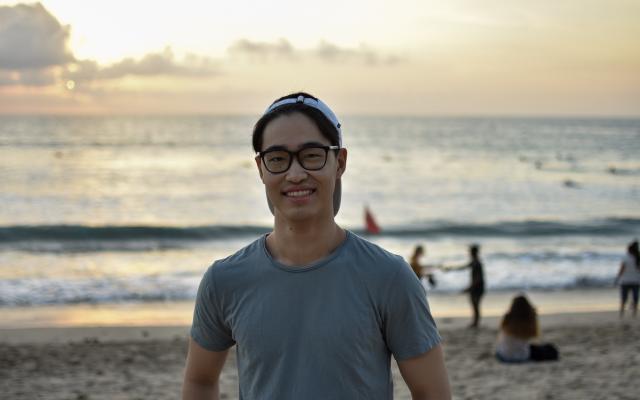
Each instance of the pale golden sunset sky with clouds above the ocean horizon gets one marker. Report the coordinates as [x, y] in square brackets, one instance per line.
[363, 57]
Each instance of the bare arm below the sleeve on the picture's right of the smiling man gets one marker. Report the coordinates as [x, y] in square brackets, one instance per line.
[426, 375]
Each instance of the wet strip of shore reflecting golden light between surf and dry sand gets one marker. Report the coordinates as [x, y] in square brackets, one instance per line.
[443, 306]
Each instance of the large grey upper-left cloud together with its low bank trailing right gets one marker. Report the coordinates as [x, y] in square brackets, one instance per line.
[34, 52]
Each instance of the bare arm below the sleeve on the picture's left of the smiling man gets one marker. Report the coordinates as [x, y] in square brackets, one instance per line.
[202, 373]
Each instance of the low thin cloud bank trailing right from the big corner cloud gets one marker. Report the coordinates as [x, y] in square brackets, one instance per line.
[152, 64]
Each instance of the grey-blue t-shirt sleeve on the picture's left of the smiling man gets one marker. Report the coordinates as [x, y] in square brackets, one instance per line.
[209, 328]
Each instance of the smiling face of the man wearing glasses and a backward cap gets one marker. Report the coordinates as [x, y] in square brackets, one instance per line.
[300, 194]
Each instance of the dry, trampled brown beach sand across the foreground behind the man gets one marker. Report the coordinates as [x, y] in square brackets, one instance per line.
[600, 359]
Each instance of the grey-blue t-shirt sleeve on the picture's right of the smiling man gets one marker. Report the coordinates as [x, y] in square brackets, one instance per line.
[409, 327]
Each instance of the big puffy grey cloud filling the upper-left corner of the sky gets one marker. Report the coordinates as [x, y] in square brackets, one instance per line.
[31, 38]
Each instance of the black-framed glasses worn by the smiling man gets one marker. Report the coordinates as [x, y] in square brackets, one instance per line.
[311, 158]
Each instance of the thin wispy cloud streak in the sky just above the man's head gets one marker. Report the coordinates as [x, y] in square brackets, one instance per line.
[325, 51]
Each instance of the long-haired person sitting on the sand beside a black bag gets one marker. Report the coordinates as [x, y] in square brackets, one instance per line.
[519, 326]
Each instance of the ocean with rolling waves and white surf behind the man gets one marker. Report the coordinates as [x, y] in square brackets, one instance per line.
[118, 210]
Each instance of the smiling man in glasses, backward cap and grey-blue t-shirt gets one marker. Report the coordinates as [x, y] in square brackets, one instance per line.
[314, 311]
